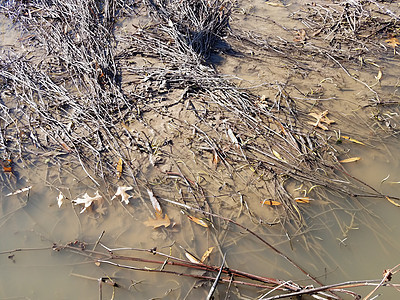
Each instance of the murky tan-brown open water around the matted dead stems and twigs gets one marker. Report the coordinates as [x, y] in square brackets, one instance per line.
[347, 239]
